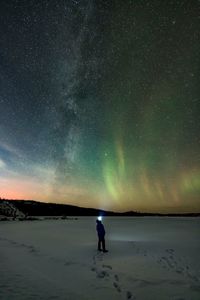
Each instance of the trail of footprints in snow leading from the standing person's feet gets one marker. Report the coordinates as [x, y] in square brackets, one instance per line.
[105, 271]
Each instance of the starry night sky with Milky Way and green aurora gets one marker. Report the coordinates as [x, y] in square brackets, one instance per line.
[100, 103]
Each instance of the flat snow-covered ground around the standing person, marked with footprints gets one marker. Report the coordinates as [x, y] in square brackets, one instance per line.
[149, 258]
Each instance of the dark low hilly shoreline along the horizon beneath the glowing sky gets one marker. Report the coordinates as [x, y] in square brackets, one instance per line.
[23, 209]
